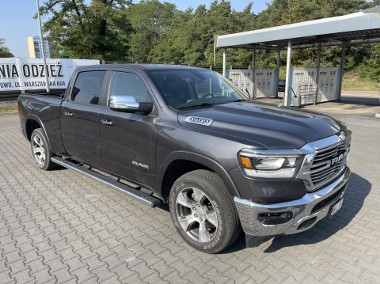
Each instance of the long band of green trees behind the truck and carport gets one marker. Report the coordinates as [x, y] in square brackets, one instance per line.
[156, 32]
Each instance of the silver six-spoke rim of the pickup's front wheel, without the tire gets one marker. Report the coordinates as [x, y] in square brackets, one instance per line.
[196, 215]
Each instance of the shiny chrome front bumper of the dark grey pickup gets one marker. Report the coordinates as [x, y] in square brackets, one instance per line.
[306, 211]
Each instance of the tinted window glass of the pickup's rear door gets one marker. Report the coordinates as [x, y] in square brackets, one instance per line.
[87, 87]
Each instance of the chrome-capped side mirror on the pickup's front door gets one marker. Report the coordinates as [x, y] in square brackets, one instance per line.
[129, 104]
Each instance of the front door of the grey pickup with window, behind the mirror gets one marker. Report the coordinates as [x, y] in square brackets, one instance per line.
[128, 140]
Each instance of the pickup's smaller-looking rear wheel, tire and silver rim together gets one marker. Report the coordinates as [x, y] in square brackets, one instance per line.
[41, 150]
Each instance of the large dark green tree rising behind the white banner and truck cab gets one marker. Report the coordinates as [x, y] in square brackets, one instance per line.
[98, 30]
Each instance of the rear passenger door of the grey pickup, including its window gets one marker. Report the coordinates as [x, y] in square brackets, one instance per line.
[80, 117]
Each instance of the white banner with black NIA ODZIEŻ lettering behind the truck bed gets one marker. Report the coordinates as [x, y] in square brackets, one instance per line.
[17, 74]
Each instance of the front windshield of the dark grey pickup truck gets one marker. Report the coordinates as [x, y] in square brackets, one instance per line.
[183, 88]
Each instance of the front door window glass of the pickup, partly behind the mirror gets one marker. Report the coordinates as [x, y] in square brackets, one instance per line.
[128, 85]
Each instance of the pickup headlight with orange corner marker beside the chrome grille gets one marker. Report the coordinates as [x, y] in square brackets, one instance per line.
[269, 165]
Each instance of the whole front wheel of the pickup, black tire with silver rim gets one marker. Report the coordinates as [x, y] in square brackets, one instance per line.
[203, 211]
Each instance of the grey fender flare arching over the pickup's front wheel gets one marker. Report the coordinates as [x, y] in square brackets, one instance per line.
[200, 159]
